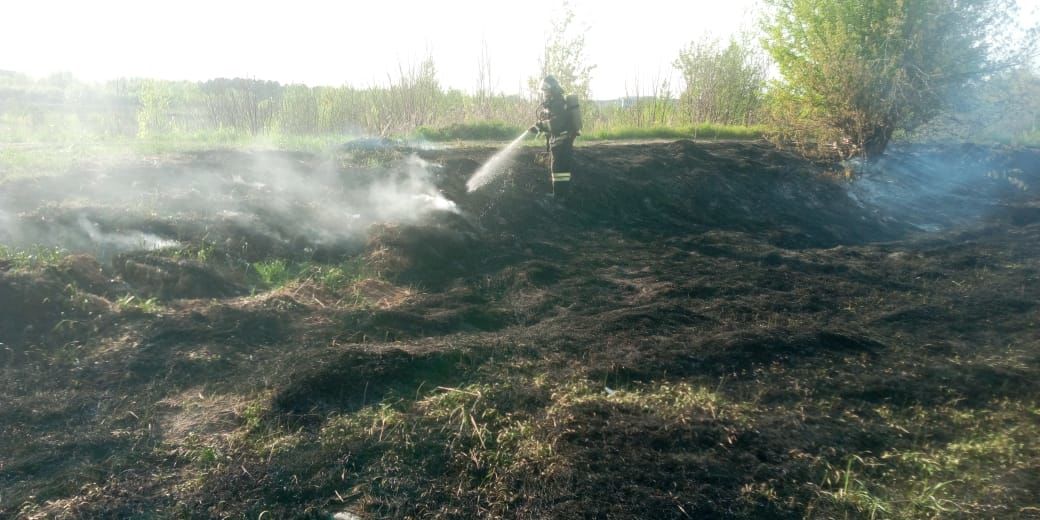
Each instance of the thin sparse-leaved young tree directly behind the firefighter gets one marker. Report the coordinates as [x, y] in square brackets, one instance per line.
[564, 58]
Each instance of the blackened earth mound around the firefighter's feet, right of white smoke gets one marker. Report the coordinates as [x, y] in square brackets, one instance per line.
[678, 188]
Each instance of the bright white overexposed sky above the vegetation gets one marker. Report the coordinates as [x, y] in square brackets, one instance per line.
[361, 44]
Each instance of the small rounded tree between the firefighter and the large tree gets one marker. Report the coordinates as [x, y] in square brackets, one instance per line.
[724, 85]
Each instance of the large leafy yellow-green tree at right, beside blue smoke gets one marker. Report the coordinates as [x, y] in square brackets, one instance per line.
[857, 71]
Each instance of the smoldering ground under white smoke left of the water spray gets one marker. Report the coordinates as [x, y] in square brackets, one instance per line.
[229, 199]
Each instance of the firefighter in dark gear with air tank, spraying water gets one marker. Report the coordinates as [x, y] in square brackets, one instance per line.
[558, 124]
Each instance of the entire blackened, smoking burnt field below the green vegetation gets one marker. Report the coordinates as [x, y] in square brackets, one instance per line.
[706, 330]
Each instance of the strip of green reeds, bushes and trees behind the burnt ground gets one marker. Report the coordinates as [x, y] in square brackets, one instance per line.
[855, 75]
